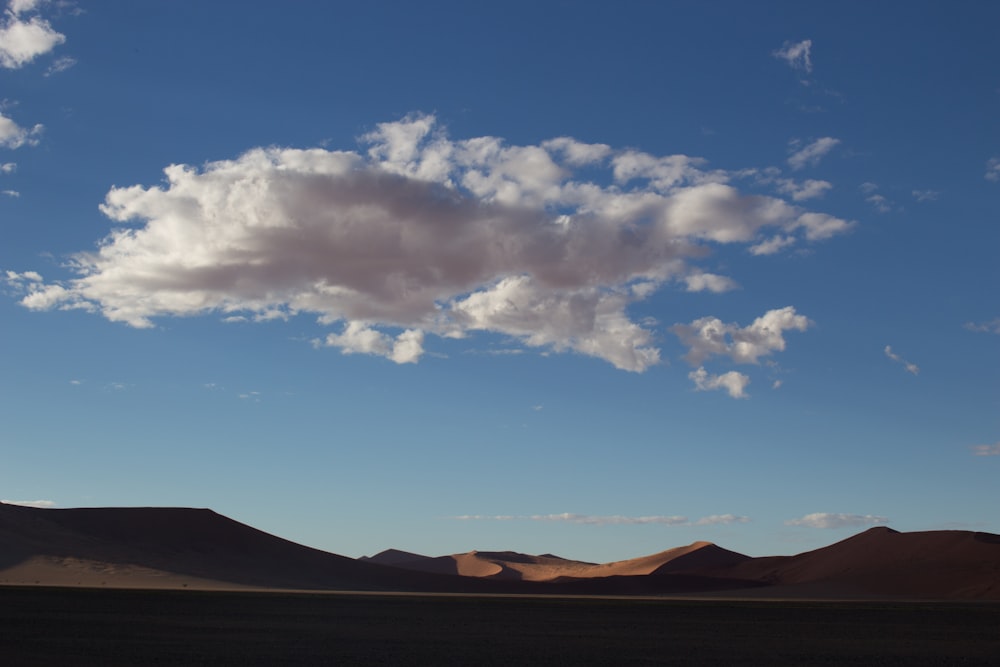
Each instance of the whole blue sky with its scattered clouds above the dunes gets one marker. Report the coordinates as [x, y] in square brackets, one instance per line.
[552, 277]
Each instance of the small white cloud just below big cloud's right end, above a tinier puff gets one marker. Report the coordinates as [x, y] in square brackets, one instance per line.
[709, 336]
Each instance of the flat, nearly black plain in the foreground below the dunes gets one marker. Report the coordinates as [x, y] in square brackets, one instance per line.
[42, 626]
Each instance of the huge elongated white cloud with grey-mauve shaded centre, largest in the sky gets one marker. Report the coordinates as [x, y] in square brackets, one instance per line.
[419, 234]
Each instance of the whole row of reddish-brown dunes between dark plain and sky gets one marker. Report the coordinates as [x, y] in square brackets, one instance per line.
[158, 547]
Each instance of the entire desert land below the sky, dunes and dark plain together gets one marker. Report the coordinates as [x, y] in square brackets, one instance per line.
[180, 586]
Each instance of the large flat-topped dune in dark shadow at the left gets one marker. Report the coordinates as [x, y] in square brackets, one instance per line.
[158, 547]
